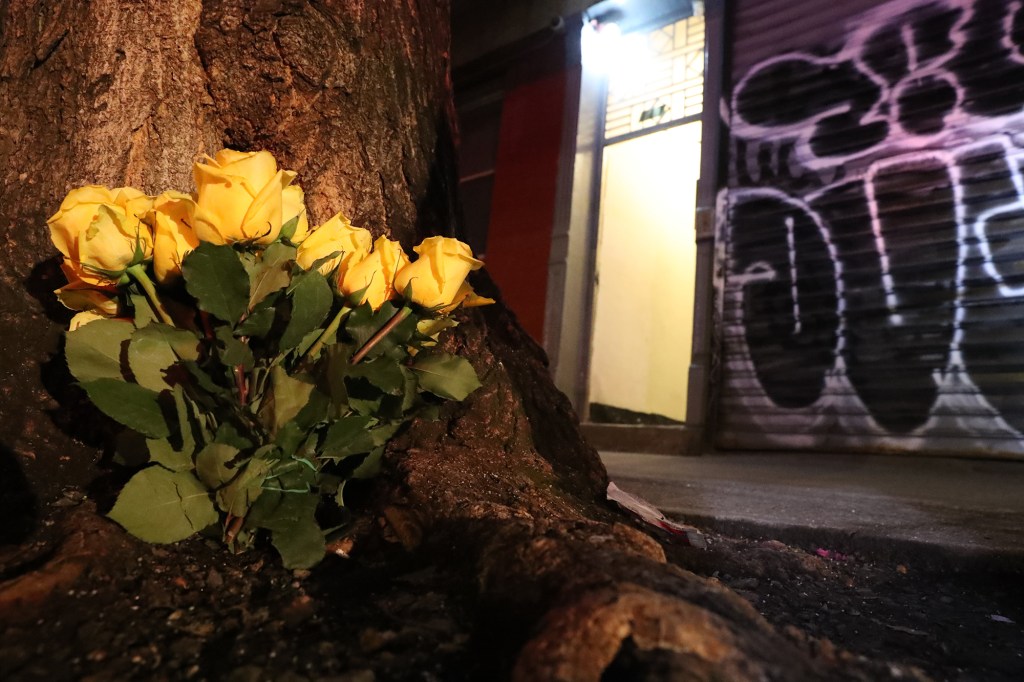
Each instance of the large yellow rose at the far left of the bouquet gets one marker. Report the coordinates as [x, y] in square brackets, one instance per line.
[101, 233]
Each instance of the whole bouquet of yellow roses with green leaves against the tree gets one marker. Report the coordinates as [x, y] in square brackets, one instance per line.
[260, 366]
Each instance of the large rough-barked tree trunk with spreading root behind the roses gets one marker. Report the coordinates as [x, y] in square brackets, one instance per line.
[503, 493]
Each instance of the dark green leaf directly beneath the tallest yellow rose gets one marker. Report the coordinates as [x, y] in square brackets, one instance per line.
[218, 280]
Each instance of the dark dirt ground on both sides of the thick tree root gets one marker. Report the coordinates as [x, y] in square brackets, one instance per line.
[84, 602]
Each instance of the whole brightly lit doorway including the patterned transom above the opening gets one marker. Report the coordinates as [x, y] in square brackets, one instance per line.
[646, 247]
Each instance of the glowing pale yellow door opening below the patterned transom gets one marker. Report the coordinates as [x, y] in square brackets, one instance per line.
[644, 299]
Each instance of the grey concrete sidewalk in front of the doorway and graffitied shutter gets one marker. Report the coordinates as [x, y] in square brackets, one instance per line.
[965, 510]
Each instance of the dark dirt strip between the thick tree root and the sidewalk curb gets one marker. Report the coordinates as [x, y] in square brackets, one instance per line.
[956, 625]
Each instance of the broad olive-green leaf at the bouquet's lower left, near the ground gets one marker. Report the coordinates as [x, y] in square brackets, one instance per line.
[162, 506]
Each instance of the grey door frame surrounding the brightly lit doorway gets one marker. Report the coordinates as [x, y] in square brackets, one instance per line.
[571, 301]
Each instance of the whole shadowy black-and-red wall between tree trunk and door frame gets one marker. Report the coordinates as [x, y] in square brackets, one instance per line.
[513, 107]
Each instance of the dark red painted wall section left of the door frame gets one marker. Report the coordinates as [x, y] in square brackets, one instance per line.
[524, 203]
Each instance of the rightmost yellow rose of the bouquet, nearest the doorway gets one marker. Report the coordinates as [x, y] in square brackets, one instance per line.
[438, 276]
